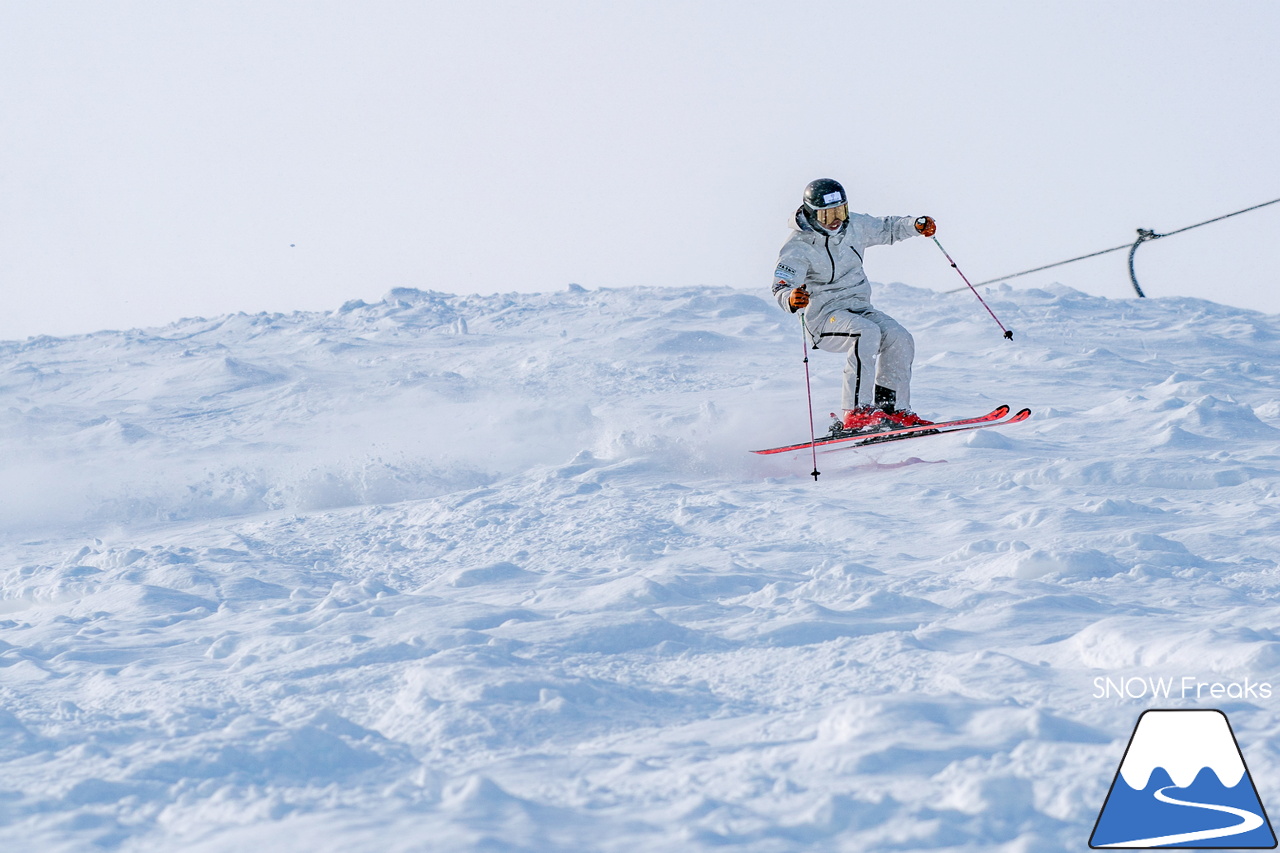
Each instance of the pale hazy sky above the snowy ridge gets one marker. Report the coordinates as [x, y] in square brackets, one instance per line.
[162, 161]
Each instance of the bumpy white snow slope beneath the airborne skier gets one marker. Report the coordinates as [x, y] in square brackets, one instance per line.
[459, 573]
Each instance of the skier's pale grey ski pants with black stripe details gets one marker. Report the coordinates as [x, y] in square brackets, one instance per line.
[879, 368]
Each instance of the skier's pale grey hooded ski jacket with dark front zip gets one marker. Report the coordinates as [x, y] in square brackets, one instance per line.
[831, 266]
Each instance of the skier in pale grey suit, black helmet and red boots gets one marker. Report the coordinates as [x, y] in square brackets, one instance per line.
[821, 273]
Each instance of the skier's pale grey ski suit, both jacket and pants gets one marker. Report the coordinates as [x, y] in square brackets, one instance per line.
[840, 317]
